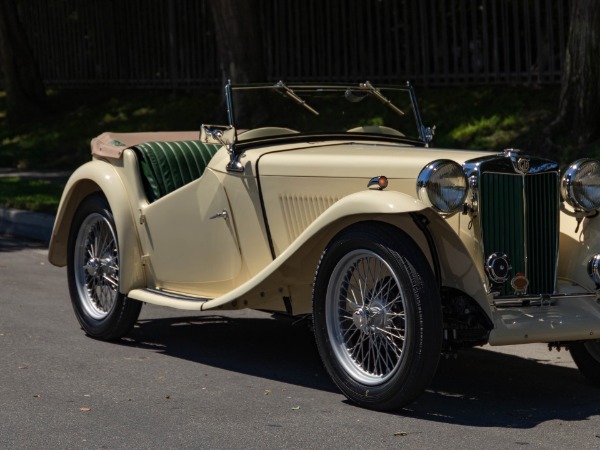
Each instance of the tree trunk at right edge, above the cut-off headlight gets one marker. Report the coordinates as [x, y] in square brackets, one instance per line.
[579, 107]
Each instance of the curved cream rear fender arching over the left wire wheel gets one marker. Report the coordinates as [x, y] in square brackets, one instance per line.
[100, 176]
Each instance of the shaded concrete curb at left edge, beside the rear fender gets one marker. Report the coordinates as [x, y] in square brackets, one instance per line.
[26, 224]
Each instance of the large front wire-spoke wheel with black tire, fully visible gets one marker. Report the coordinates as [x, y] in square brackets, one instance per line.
[380, 339]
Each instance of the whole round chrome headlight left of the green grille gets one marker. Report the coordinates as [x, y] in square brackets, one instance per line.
[442, 185]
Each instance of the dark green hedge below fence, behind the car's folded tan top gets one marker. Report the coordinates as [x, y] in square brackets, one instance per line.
[61, 140]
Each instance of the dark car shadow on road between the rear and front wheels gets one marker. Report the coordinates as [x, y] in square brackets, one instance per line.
[266, 348]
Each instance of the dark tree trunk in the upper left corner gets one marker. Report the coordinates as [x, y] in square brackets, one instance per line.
[25, 93]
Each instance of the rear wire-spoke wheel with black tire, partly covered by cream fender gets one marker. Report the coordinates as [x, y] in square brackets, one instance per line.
[93, 273]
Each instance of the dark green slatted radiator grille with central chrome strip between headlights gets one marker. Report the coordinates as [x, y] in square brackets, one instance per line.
[519, 217]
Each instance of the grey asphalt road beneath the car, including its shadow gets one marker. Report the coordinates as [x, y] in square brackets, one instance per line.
[245, 380]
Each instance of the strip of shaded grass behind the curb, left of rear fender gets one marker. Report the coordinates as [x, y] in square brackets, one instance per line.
[32, 195]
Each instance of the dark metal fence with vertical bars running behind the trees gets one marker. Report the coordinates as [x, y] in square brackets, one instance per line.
[171, 43]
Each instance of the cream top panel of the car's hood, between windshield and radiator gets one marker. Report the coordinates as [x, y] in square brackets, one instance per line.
[356, 160]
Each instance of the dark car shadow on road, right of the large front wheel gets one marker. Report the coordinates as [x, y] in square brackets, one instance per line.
[489, 389]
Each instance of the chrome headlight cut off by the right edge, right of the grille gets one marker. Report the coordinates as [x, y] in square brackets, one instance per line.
[580, 185]
